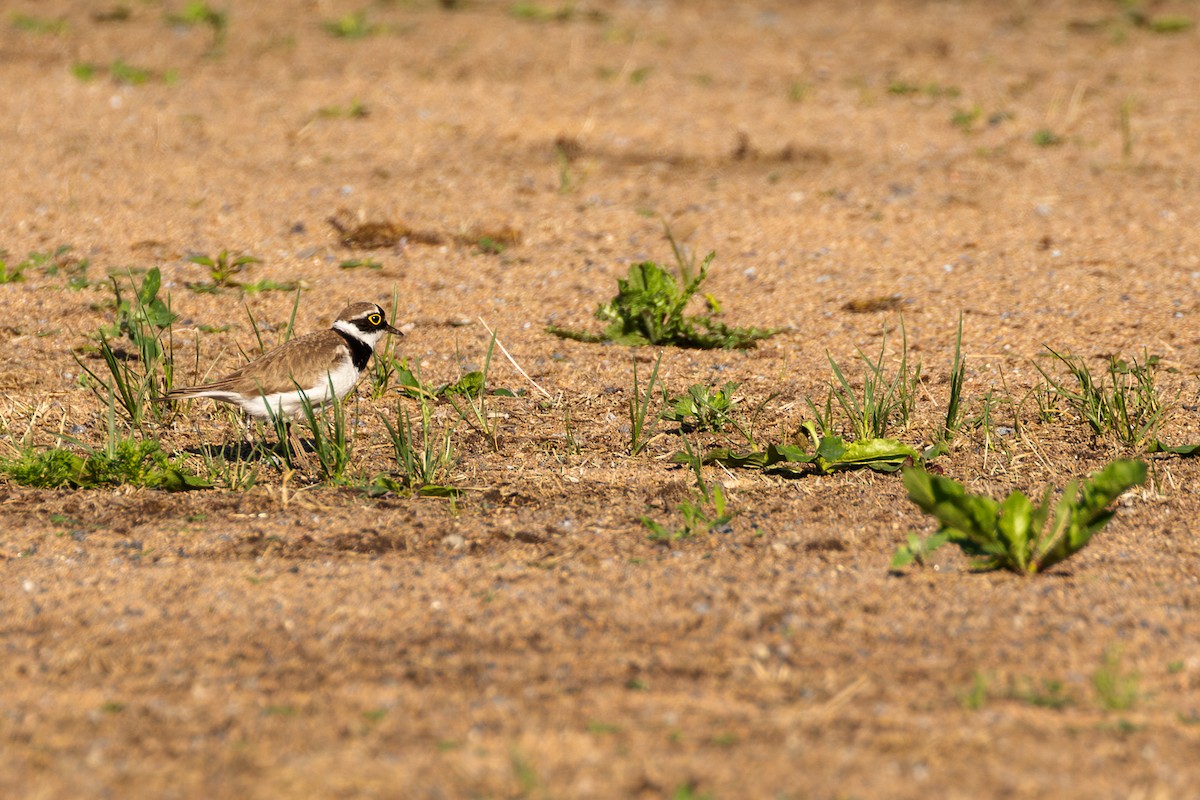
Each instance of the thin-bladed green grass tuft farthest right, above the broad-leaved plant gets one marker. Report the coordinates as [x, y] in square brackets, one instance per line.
[1127, 406]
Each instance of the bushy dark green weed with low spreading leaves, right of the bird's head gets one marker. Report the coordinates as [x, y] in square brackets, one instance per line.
[650, 309]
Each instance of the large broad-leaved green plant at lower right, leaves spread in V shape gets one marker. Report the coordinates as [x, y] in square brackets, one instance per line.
[1019, 536]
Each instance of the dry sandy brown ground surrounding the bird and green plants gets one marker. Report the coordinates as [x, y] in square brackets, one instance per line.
[1030, 166]
